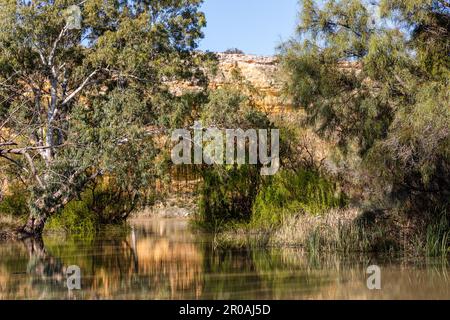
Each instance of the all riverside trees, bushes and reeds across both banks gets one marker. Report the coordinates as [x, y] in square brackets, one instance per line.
[365, 152]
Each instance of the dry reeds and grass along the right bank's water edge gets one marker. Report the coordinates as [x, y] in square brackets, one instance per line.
[344, 231]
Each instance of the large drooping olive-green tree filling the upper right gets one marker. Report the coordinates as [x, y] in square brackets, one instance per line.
[375, 75]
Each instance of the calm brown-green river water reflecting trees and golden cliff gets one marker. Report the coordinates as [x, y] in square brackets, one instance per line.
[165, 259]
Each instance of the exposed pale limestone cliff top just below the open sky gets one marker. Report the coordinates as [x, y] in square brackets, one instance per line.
[260, 73]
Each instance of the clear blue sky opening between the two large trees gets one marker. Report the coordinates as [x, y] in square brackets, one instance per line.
[254, 26]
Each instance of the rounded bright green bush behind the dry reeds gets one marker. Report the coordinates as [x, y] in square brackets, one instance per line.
[289, 193]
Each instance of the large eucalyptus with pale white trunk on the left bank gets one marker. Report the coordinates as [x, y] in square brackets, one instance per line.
[81, 82]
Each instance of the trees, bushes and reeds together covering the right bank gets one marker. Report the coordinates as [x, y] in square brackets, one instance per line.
[373, 82]
